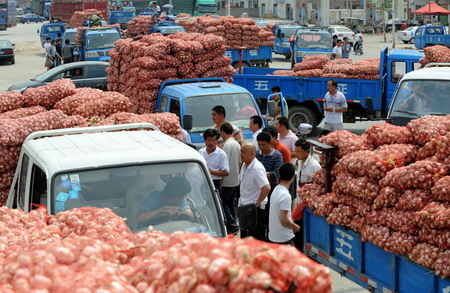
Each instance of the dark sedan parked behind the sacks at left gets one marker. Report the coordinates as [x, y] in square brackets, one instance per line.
[83, 74]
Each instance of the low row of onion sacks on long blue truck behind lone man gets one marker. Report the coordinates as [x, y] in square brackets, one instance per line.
[322, 66]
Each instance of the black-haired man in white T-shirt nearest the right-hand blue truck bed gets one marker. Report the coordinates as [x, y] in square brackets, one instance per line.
[281, 226]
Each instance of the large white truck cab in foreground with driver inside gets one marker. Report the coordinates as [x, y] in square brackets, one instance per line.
[120, 167]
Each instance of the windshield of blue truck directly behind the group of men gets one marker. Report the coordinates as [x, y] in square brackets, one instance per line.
[238, 107]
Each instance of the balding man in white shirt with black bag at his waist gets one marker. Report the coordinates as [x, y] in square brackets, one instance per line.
[254, 188]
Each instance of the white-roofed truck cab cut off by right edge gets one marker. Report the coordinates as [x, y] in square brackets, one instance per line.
[421, 93]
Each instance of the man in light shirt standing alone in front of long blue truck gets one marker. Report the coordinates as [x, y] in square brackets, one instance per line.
[334, 105]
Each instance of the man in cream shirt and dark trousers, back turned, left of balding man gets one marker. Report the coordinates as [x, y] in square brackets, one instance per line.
[230, 183]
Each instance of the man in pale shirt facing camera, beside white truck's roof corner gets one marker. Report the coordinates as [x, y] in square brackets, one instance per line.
[216, 159]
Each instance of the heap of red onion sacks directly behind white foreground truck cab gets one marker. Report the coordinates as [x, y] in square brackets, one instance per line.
[60, 105]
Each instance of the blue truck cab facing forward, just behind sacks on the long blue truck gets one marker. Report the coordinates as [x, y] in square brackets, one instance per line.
[310, 41]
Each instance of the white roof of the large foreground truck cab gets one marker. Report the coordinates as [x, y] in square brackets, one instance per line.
[90, 150]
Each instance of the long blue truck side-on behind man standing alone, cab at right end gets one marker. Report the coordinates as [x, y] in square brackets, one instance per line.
[367, 99]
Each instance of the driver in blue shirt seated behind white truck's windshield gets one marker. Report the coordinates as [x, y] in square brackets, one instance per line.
[171, 201]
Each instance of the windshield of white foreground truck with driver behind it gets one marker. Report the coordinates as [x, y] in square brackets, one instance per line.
[167, 196]
